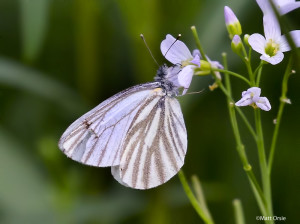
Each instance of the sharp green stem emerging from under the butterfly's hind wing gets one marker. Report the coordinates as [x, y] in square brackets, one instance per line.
[193, 199]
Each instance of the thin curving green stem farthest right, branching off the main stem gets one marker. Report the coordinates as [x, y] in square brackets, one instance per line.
[283, 99]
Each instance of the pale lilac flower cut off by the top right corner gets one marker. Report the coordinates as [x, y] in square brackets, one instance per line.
[283, 6]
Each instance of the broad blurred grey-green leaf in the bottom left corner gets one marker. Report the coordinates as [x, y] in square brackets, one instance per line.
[23, 190]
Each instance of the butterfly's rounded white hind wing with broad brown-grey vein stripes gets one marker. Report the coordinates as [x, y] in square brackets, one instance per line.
[155, 144]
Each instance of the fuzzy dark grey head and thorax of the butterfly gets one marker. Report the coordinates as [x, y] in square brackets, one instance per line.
[168, 86]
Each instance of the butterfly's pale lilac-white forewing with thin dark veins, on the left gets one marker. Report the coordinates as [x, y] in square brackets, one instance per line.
[97, 137]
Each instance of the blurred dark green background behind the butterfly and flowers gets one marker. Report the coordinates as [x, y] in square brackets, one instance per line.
[60, 58]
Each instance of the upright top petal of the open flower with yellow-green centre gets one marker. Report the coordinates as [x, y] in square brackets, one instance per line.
[272, 27]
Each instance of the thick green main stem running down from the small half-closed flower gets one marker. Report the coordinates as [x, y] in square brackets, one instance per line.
[266, 180]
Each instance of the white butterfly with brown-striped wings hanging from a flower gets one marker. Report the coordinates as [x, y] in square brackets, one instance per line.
[139, 132]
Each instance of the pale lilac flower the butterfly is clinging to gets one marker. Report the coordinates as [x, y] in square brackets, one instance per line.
[177, 53]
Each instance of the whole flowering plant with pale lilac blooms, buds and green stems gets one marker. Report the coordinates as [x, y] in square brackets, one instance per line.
[271, 47]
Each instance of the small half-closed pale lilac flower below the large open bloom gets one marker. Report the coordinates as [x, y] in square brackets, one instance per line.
[252, 96]
